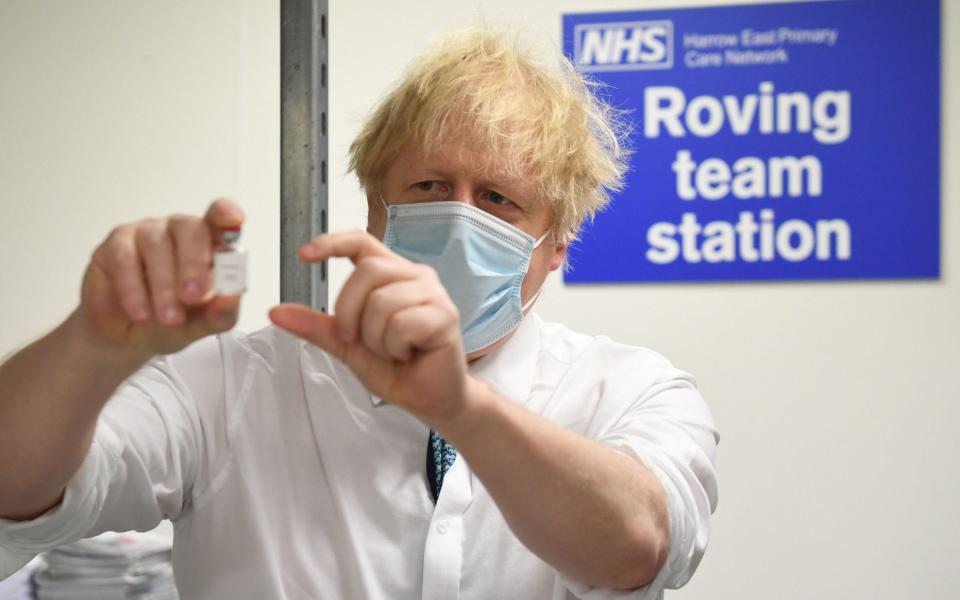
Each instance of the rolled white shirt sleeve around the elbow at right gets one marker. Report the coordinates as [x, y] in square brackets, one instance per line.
[670, 431]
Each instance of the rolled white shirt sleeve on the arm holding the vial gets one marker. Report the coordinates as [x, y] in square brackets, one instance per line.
[141, 466]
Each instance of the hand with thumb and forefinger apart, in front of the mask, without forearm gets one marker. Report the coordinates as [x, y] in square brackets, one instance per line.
[394, 326]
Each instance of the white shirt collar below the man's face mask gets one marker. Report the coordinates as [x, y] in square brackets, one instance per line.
[509, 368]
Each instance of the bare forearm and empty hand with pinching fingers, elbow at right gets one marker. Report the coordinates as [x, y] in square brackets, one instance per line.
[592, 513]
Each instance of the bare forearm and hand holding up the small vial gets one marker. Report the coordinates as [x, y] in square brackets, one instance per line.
[147, 291]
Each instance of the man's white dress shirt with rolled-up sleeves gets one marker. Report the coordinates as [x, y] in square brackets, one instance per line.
[285, 479]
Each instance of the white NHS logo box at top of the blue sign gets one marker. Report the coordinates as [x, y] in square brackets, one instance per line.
[627, 46]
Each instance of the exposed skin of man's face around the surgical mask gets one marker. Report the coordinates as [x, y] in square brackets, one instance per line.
[453, 174]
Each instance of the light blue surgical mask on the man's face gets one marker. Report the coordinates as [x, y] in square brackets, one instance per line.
[480, 259]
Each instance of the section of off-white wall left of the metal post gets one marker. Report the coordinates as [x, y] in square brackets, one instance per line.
[112, 111]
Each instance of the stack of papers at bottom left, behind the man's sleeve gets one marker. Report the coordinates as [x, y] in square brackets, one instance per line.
[112, 565]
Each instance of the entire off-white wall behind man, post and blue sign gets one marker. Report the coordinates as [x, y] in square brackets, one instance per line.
[835, 400]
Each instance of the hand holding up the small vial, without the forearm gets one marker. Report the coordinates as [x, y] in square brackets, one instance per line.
[149, 285]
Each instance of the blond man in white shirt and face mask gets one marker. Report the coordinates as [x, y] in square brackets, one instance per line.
[429, 439]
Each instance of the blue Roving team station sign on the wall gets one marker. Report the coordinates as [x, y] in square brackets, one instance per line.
[786, 141]
